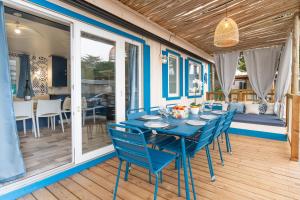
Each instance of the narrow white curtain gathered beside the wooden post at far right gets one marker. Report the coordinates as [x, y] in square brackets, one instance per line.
[284, 76]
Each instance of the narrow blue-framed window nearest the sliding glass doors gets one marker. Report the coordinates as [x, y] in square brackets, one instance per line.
[172, 75]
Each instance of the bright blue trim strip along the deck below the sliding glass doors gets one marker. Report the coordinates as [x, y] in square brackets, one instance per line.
[55, 178]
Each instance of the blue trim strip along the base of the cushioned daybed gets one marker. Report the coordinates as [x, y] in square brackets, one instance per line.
[258, 134]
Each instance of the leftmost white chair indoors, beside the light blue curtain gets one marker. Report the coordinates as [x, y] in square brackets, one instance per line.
[23, 111]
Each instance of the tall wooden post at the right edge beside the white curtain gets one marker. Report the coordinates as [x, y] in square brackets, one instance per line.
[295, 137]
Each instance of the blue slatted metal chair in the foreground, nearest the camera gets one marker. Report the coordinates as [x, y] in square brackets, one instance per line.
[131, 147]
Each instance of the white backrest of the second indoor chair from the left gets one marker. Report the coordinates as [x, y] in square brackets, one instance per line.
[48, 107]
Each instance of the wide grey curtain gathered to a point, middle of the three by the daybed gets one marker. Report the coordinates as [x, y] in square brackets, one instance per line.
[261, 67]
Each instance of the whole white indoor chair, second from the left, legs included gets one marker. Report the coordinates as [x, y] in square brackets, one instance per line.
[49, 109]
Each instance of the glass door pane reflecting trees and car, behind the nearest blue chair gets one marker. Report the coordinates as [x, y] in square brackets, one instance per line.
[98, 90]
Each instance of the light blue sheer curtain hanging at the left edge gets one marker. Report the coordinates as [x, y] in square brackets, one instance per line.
[11, 160]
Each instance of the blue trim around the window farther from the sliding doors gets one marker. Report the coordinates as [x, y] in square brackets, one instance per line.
[187, 78]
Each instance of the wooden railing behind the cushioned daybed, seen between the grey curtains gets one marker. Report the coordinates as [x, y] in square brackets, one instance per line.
[238, 95]
